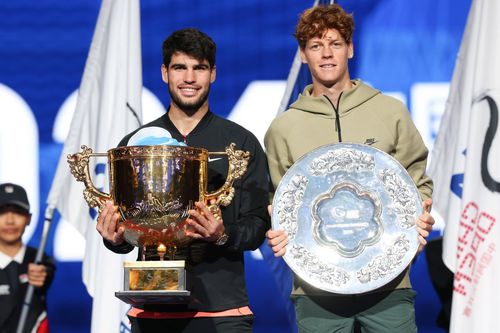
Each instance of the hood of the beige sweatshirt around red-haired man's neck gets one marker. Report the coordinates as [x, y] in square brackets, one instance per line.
[350, 99]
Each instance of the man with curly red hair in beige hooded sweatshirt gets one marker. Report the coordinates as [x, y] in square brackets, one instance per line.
[335, 109]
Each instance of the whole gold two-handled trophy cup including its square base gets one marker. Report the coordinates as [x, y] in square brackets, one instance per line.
[154, 187]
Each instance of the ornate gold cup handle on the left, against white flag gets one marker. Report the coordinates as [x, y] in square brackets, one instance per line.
[79, 165]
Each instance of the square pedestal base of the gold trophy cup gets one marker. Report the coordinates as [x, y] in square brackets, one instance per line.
[154, 282]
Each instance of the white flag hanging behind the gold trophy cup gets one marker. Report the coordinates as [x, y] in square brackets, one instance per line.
[108, 107]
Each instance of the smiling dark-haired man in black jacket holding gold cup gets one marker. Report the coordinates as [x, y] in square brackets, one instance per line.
[215, 257]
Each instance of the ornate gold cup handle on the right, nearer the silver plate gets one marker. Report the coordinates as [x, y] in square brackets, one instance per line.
[238, 162]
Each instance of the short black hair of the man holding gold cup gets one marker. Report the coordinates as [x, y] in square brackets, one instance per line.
[192, 42]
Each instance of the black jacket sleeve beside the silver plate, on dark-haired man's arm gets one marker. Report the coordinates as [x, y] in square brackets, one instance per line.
[248, 231]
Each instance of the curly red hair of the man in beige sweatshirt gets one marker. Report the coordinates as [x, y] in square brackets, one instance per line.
[314, 22]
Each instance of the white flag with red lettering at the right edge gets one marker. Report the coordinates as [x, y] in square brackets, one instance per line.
[465, 169]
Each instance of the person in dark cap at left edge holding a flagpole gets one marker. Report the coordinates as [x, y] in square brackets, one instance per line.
[17, 267]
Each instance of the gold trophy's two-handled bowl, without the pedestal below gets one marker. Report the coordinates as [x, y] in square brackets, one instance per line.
[154, 187]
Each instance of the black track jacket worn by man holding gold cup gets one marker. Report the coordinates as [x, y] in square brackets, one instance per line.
[216, 276]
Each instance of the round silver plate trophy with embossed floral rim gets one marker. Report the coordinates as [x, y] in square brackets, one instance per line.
[350, 212]
